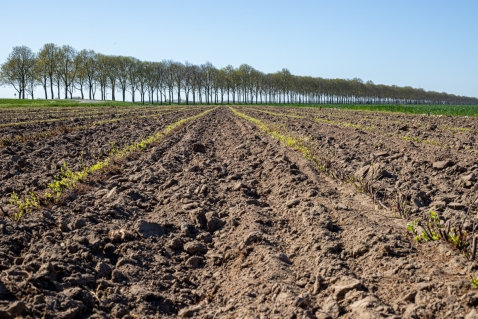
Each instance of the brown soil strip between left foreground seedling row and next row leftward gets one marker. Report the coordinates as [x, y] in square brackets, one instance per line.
[30, 166]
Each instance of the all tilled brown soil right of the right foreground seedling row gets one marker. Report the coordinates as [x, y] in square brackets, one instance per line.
[433, 176]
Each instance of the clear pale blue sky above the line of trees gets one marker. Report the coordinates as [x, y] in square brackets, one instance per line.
[432, 44]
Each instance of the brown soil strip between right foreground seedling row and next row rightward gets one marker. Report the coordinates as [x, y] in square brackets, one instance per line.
[432, 178]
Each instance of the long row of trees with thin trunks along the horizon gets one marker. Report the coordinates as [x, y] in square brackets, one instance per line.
[62, 71]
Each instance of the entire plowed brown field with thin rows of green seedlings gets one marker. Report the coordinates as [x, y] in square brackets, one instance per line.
[242, 212]
